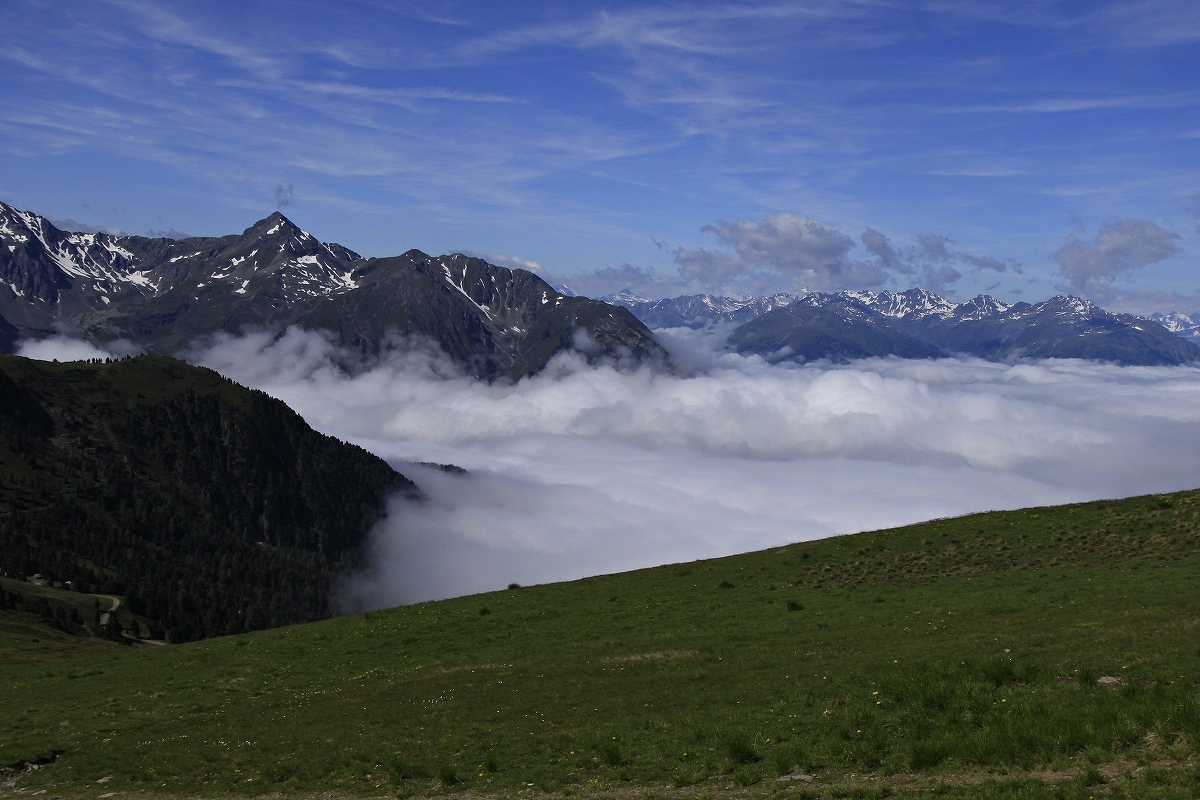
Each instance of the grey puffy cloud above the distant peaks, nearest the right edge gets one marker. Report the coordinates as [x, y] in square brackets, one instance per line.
[1121, 249]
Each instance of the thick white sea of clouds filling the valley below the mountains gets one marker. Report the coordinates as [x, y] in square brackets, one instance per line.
[589, 470]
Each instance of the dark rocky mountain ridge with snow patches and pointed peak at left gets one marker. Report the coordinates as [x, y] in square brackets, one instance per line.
[164, 293]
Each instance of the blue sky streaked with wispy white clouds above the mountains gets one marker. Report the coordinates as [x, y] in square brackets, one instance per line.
[1018, 148]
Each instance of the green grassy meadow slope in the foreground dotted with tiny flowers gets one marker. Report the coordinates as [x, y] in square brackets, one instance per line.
[1049, 653]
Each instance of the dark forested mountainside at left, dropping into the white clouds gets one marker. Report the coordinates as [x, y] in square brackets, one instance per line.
[211, 508]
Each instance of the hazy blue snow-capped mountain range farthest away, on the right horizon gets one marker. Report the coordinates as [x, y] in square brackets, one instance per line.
[921, 324]
